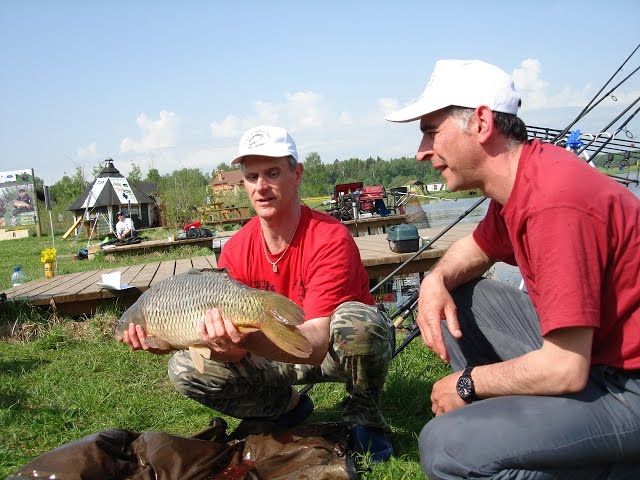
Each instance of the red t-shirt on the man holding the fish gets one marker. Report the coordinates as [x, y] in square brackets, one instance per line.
[320, 270]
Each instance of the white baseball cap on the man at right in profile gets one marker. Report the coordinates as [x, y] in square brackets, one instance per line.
[464, 83]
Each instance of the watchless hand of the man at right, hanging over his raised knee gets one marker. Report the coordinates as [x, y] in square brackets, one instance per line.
[434, 305]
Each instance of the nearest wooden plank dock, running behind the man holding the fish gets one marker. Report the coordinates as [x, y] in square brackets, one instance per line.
[79, 294]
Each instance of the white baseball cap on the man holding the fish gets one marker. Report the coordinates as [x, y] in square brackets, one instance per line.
[266, 141]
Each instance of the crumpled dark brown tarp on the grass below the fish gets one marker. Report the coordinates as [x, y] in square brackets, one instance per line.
[254, 451]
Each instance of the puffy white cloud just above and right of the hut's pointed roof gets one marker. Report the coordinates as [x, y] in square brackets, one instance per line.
[160, 133]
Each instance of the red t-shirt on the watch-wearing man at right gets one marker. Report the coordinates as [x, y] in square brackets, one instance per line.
[575, 235]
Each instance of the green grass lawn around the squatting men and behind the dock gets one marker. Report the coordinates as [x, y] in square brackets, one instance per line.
[63, 378]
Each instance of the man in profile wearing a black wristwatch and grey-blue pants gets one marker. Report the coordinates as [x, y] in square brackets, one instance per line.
[546, 384]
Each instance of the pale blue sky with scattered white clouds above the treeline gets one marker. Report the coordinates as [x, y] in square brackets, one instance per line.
[174, 84]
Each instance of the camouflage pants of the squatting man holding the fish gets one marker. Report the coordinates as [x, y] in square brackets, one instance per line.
[360, 349]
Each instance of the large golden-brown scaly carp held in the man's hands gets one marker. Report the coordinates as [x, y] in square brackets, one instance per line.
[171, 311]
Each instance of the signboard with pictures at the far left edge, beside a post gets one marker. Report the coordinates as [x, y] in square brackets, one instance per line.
[17, 199]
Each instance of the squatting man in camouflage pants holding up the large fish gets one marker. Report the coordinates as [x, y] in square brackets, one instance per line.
[312, 259]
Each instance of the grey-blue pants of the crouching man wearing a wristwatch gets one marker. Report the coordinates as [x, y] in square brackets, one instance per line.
[593, 434]
